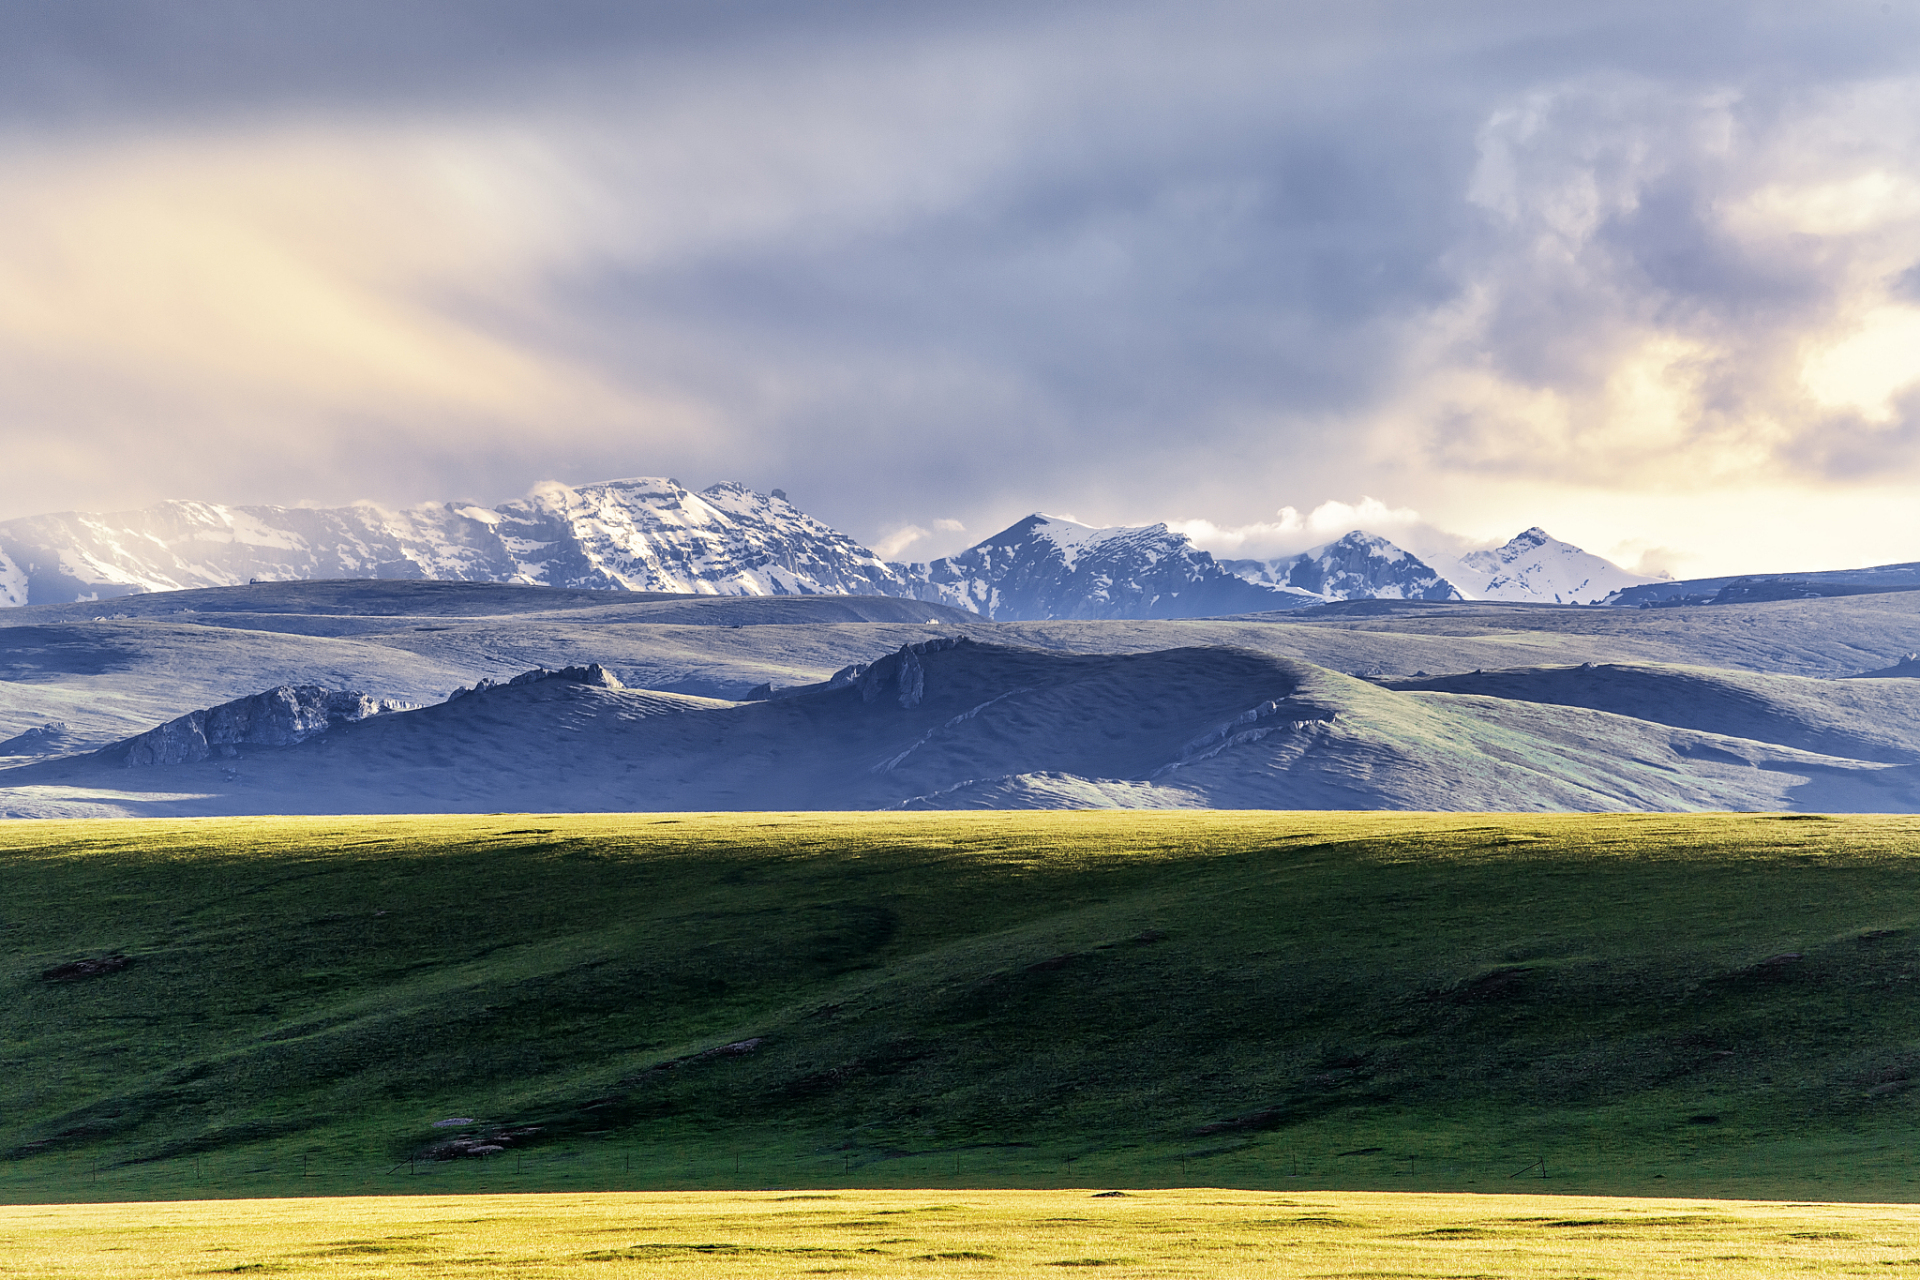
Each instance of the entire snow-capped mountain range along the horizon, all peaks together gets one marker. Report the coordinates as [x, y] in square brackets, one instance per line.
[654, 534]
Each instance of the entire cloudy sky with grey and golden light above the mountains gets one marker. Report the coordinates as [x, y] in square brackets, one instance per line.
[1646, 275]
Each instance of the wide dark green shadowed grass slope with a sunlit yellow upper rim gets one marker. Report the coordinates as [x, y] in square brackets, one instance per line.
[1583, 1005]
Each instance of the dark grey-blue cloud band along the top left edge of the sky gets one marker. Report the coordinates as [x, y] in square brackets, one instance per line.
[110, 60]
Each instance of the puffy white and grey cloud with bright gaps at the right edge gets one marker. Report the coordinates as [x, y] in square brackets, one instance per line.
[1675, 289]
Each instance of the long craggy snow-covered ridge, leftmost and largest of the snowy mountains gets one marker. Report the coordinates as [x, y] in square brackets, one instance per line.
[621, 534]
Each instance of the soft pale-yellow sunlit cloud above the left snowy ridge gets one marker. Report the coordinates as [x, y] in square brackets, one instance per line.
[289, 302]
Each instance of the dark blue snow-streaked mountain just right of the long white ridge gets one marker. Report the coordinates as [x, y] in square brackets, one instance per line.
[1047, 567]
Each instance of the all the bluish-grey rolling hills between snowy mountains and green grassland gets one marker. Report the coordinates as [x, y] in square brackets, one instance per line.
[727, 703]
